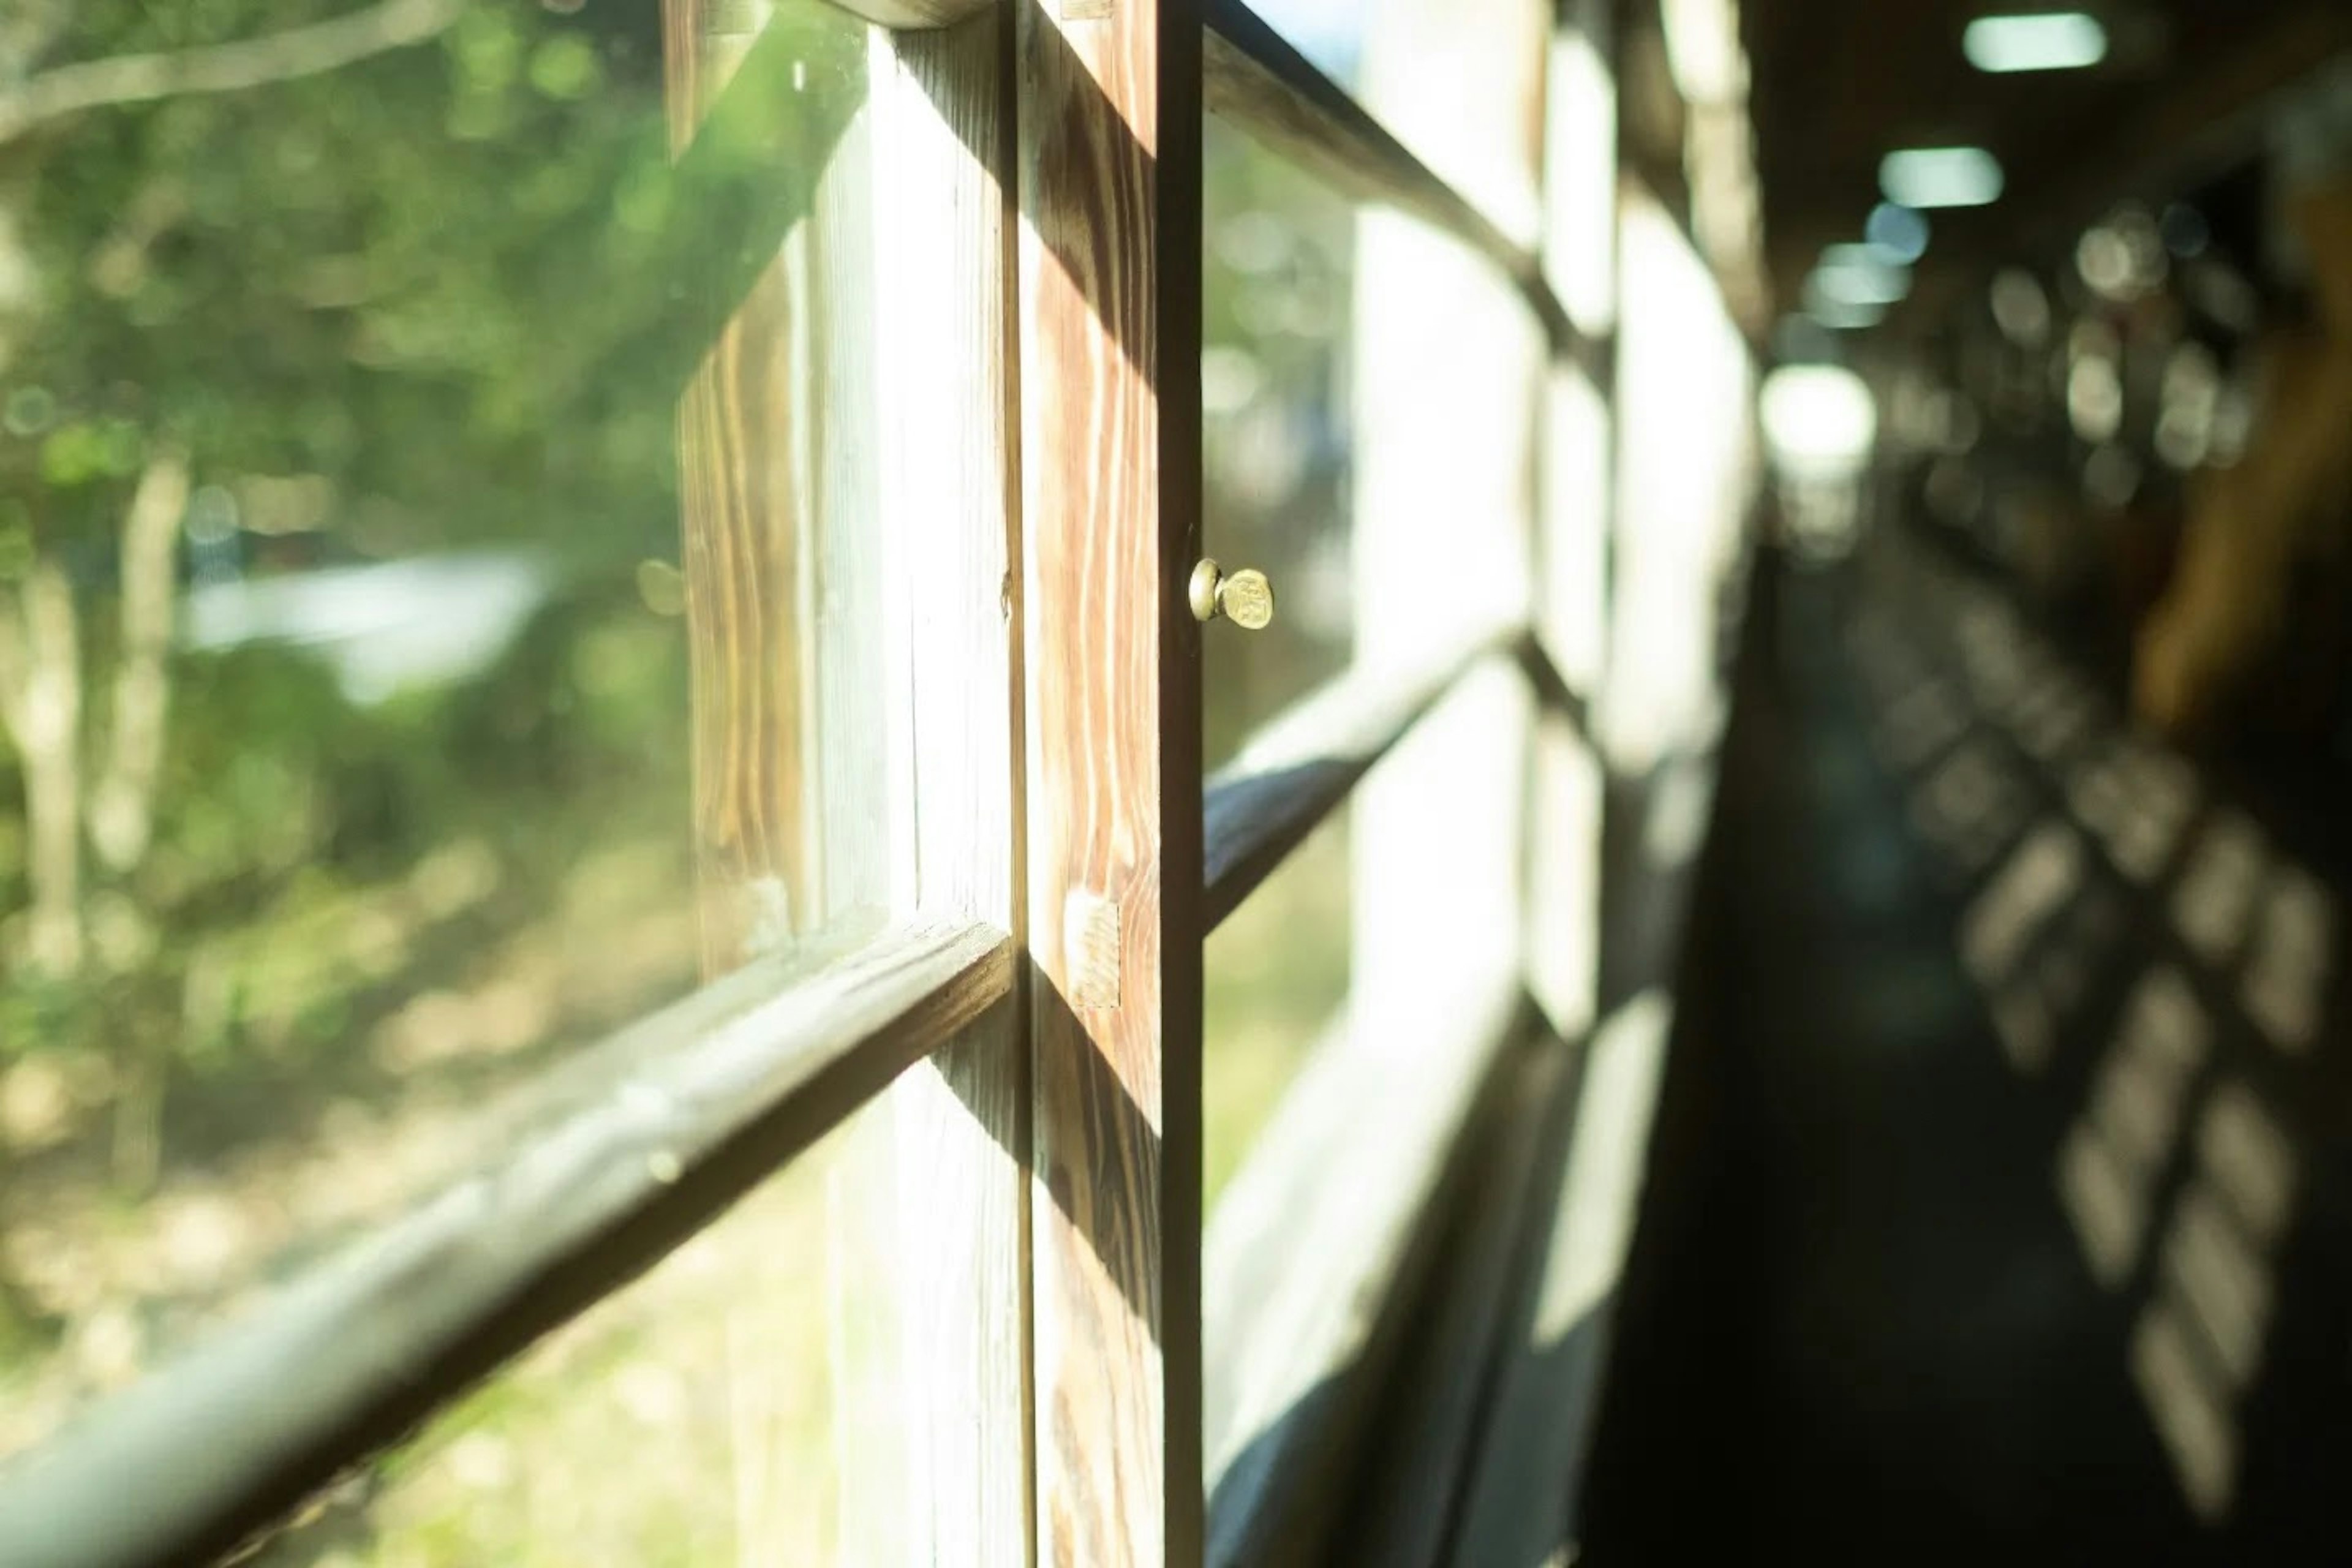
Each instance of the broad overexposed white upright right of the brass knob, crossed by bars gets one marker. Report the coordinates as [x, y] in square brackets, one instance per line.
[1448, 368]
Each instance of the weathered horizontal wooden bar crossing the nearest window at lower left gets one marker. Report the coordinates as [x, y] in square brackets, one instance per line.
[664, 1127]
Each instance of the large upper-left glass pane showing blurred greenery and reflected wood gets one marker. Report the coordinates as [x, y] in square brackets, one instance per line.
[349, 650]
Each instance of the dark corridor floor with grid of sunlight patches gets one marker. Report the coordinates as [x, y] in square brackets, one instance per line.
[1993, 1205]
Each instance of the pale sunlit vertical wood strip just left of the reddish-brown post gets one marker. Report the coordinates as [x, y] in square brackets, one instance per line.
[949, 1482]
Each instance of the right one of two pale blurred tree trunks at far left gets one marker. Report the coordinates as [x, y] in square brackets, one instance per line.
[123, 805]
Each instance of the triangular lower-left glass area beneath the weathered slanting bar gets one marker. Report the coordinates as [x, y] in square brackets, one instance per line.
[690, 1419]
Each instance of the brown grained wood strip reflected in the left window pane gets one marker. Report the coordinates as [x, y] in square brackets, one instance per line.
[742, 455]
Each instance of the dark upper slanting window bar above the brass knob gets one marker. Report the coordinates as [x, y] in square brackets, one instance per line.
[1264, 86]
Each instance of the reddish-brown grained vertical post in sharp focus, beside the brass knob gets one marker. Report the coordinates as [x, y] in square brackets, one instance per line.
[1109, 175]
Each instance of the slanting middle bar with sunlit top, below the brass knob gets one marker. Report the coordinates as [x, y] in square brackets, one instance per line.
[1295, 772]
